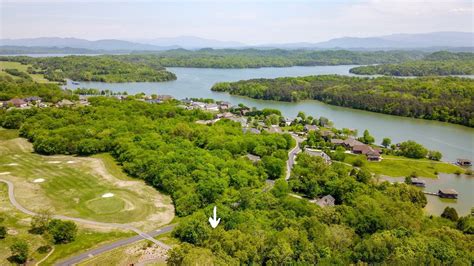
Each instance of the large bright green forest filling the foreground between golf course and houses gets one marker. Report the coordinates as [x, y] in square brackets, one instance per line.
[201, 166]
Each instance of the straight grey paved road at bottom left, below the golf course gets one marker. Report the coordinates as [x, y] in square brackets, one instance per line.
[108, 247]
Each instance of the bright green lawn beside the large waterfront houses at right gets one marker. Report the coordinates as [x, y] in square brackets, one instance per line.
[397, 166]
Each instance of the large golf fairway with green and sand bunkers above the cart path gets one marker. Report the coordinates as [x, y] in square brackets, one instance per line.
[74, 187]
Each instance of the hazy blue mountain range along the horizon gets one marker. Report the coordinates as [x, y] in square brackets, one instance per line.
[444, 40]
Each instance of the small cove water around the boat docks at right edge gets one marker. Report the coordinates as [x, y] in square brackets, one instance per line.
[463, 184]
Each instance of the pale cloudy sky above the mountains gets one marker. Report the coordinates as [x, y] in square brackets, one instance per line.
[251, 22]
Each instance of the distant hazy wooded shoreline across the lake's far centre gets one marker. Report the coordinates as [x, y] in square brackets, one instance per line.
[255, 58]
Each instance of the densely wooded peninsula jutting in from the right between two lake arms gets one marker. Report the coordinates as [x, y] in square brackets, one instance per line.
[448, 99]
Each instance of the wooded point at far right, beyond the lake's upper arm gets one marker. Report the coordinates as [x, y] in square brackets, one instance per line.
[436, 64]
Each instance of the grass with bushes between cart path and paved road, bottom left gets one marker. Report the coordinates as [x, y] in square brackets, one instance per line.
[19, 224]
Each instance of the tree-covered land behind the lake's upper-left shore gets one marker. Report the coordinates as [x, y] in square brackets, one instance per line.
[93, 68]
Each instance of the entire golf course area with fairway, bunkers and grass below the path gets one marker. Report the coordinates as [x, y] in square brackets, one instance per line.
[93, 189]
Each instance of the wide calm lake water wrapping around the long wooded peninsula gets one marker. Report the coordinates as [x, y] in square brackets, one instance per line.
[453, 141]
